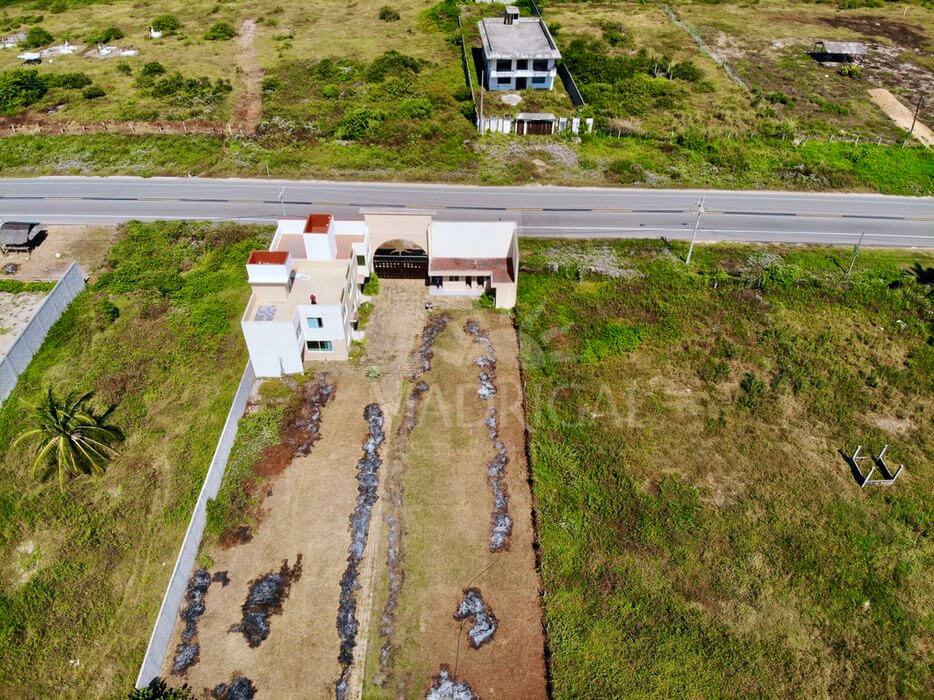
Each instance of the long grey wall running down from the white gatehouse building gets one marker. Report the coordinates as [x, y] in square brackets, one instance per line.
[175, 592]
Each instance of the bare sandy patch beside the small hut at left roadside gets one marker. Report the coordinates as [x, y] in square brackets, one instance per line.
[86, 244]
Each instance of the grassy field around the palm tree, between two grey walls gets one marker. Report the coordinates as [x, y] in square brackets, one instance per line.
[85, 568]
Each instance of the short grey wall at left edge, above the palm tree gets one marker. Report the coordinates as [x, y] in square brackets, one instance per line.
[15, 362]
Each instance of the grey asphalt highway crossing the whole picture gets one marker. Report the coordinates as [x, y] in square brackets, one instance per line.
[539, 210]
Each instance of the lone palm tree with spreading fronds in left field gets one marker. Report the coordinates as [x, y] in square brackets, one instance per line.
[73, 439]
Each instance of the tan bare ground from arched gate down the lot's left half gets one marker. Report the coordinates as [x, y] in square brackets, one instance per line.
[308, 513]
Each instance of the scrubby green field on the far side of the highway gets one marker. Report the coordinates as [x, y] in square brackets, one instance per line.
[345, 94]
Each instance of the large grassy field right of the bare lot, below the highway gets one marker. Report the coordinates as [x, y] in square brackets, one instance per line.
[701, 534]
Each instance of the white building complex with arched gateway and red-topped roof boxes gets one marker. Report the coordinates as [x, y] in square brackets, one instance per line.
[307, 288]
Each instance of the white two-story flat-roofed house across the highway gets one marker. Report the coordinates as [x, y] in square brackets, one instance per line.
[518, 52]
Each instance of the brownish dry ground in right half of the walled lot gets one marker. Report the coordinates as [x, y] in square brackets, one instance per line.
[447, 517]
